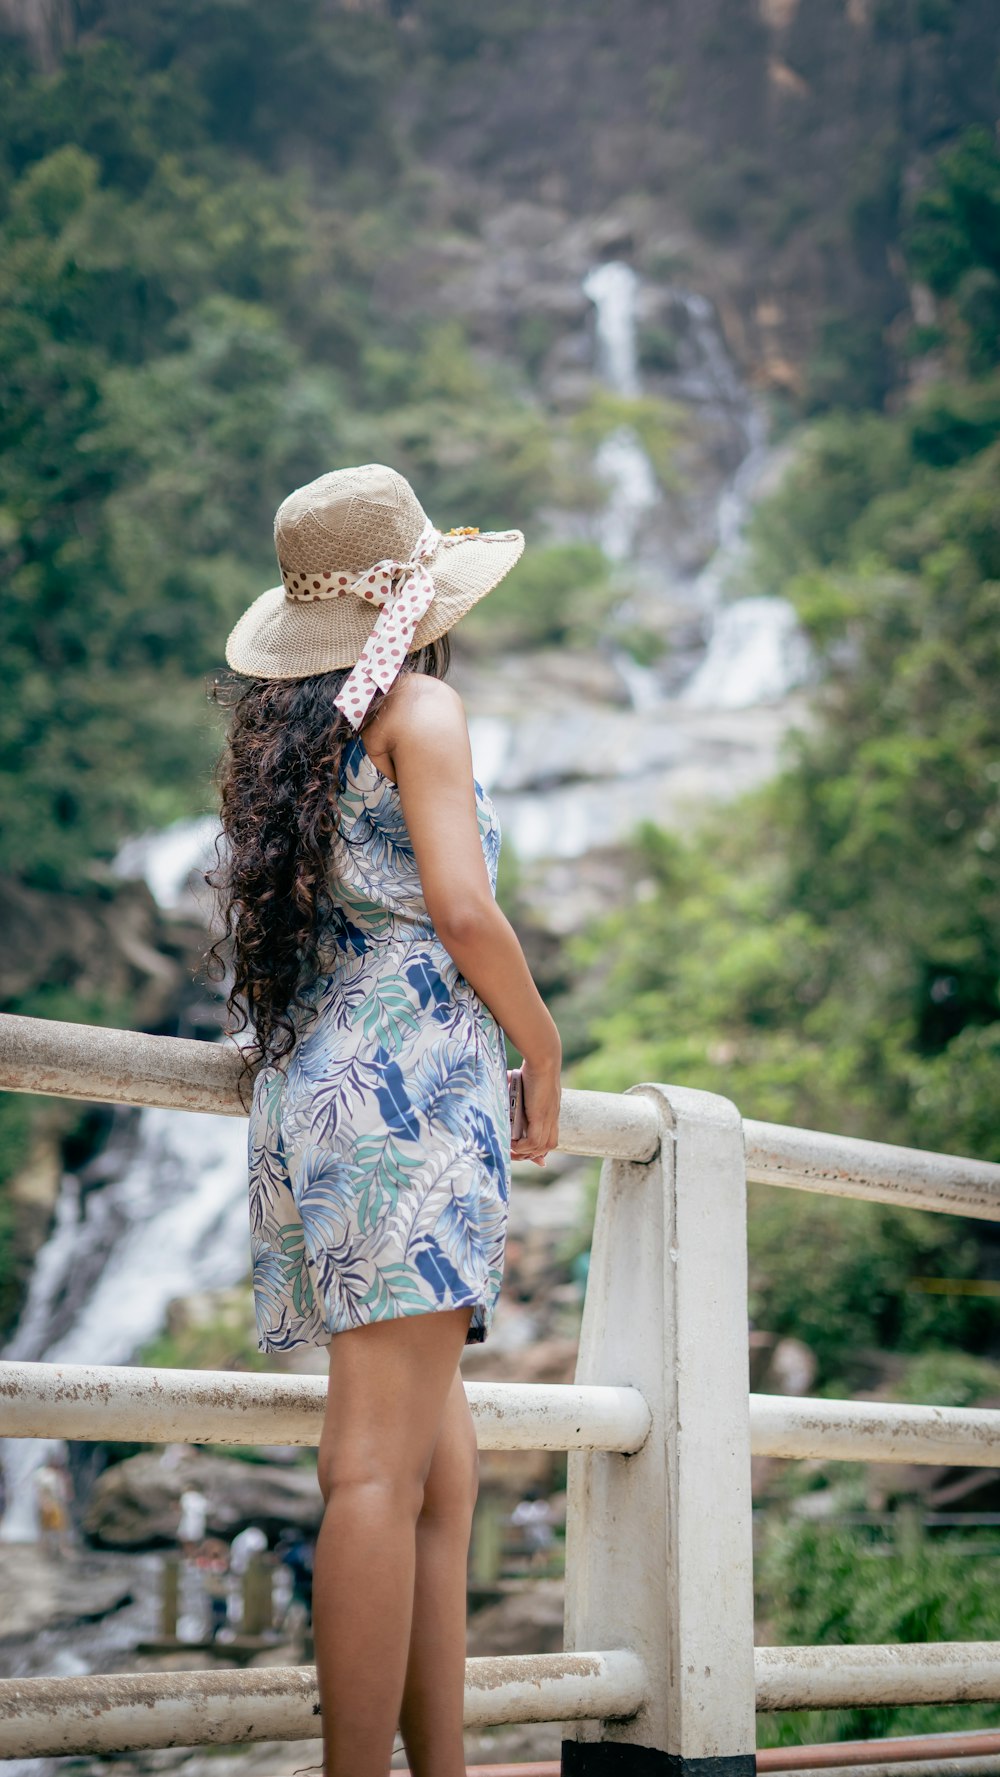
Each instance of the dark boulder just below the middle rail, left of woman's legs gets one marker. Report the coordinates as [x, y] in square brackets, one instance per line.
[138, 1504]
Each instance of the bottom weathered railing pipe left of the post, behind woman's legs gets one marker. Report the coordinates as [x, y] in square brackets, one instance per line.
[49, 1717]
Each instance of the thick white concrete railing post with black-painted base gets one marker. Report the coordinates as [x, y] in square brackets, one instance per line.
[660, 1543]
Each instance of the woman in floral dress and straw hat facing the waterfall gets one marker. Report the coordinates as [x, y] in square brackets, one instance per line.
[379, 976]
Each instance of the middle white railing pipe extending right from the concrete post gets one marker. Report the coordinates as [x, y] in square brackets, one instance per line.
[873, 1431]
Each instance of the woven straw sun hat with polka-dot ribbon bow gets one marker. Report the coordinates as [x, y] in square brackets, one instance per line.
[365, 580]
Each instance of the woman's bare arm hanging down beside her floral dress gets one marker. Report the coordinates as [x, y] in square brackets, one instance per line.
[427, 738]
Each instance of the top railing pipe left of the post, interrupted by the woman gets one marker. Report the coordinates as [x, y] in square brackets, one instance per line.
[132, 1069]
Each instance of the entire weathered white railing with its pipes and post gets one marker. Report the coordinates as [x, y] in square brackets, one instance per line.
[660, 1526]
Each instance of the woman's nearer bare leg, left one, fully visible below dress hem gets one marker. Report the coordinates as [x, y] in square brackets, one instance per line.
[390, 1385]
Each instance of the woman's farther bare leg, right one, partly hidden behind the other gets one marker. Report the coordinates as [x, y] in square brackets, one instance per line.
[436, 1675]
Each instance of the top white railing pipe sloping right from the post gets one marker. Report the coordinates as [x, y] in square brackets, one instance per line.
[846, 1168]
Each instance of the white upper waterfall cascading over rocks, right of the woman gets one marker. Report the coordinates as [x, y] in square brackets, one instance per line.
[706, 719]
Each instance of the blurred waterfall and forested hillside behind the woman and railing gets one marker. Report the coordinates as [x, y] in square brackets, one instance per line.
[706, 298]
